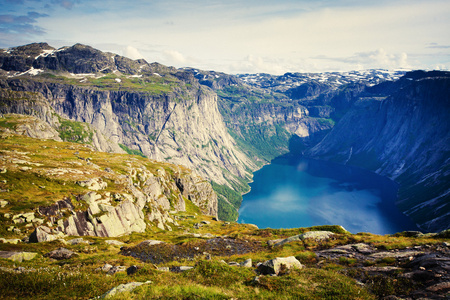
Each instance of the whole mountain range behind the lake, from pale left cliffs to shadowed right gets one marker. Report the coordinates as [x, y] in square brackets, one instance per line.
[224, 127]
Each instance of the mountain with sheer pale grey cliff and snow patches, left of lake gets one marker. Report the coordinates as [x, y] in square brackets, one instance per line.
[125, 106]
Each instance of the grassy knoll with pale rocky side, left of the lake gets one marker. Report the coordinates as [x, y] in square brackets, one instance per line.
[100, 194]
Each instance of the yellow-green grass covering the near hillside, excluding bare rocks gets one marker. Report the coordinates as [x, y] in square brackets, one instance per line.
[79, 277]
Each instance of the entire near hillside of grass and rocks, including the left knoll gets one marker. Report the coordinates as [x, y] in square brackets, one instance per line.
[145, 233]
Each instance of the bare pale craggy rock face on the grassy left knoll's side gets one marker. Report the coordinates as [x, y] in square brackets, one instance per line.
[150, 198]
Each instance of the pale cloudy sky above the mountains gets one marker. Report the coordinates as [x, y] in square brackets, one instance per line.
[245, 36]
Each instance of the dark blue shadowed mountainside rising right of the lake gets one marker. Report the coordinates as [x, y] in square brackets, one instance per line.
[405, 135]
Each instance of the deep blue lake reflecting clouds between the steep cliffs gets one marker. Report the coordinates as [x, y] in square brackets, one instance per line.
[298, 192]
